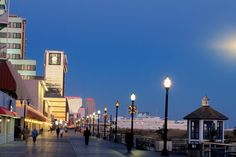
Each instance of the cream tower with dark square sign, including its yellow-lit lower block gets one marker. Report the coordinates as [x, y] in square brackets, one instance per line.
[55, 67]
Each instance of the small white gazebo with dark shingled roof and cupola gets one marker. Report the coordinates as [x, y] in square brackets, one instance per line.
[205, 124]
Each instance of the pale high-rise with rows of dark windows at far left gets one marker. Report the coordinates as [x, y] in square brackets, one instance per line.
[12, 46]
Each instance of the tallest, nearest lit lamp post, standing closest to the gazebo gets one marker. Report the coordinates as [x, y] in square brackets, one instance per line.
[167, 84]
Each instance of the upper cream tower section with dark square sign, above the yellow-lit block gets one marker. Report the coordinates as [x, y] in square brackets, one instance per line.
[55, 69]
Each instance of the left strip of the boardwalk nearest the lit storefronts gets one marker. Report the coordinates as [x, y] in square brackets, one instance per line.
[46, 146]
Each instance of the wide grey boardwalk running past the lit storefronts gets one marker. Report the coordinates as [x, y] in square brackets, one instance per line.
[72, 145]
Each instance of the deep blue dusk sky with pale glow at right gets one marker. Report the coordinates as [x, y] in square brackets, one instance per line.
[116, 47]
